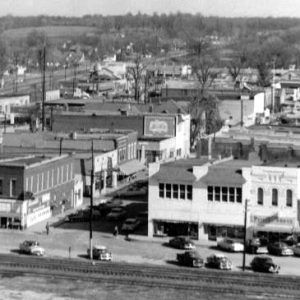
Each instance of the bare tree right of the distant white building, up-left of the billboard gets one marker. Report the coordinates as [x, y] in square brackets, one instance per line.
[136, 72]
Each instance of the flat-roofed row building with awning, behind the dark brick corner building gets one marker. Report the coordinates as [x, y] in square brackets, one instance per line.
[115, 153]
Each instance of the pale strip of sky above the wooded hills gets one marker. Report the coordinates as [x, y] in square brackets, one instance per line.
[227, 8]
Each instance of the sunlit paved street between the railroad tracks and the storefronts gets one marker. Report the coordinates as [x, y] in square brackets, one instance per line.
[140, 250]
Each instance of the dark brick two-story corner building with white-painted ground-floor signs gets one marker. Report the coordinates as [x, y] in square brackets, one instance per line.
[33, 188]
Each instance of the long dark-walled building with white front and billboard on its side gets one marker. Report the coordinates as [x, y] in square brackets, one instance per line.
[163, 129]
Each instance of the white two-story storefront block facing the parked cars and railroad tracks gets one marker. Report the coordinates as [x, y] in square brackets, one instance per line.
[207, 199]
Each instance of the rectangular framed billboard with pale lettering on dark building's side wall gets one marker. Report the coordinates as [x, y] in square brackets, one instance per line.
[159, 126]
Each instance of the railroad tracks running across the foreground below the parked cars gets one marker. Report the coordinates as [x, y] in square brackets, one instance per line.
[238, 283]
